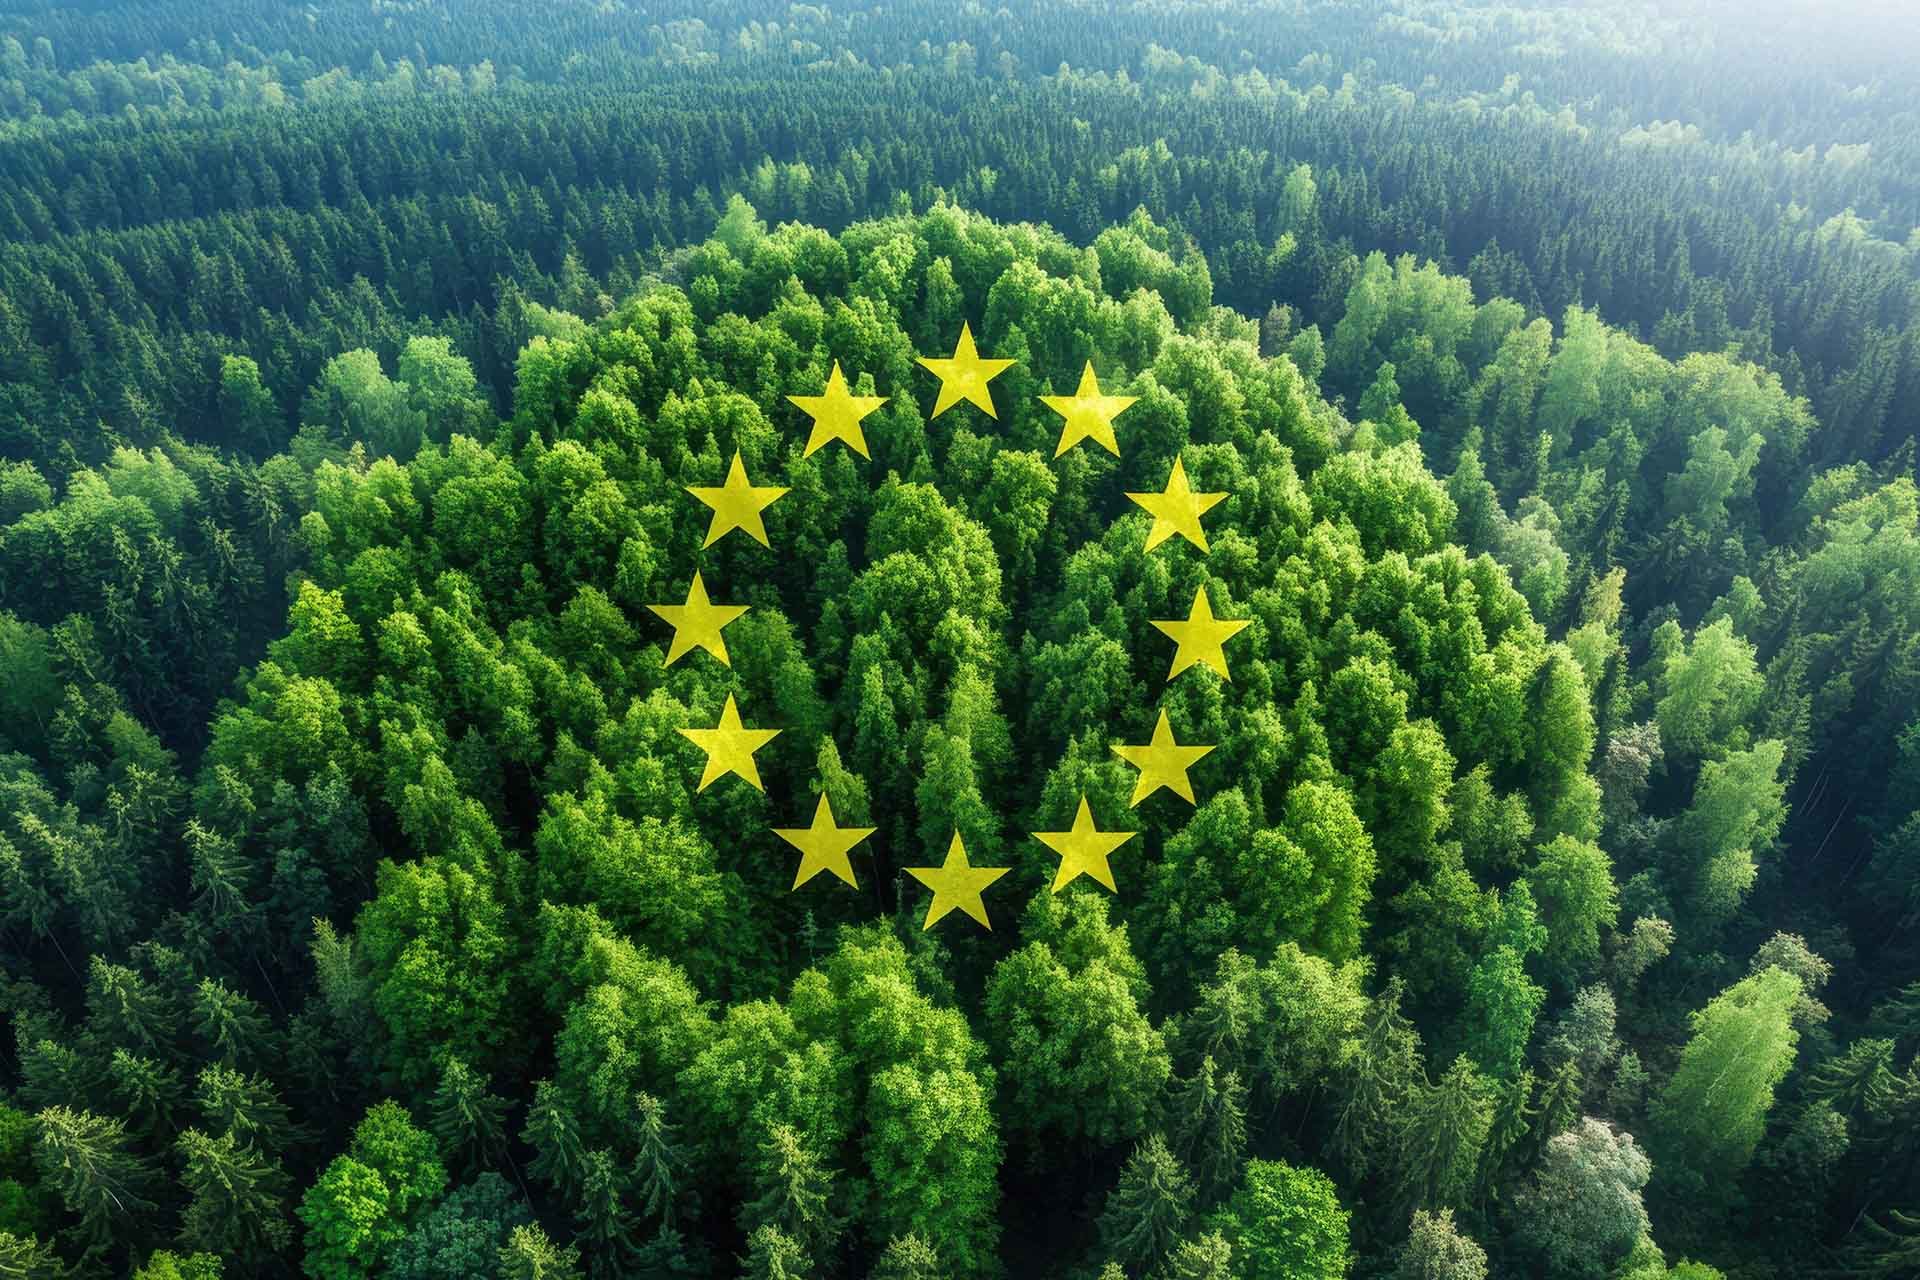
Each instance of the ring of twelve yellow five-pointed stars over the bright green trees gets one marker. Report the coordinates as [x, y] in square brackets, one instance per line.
[1163, 761]
